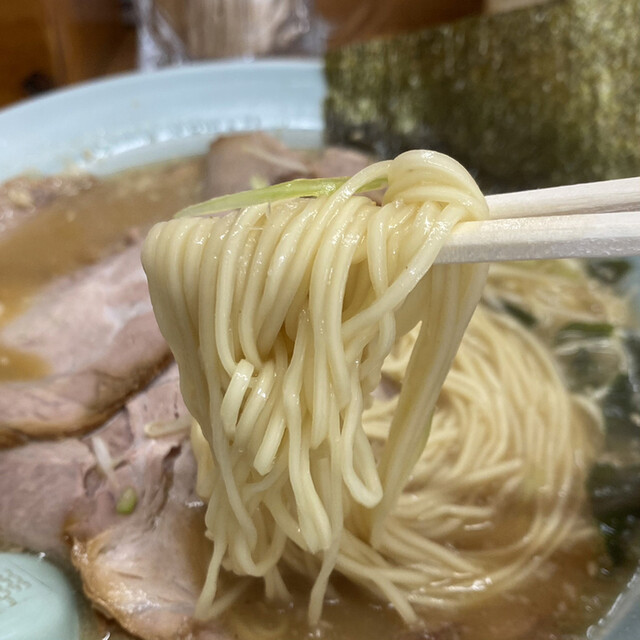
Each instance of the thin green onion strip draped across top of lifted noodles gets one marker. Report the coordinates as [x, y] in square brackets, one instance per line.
[301, 188]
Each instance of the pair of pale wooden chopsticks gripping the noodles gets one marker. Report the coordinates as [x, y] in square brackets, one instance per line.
[594, 220]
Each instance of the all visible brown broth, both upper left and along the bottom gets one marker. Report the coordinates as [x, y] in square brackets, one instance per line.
[571, 591]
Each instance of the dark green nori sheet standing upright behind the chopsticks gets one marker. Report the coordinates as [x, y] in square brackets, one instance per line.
[541, 96]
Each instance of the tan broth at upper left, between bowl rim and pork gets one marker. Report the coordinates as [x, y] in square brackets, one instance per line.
[78, 230]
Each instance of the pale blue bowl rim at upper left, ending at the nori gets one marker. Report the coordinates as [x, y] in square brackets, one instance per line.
[111, 124]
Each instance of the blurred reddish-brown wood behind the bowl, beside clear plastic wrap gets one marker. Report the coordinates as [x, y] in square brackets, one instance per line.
[52, 43]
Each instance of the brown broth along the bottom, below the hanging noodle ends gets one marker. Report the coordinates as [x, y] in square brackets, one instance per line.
[572, 591]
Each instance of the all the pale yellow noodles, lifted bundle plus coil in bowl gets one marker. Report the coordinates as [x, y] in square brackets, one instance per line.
[281, 317]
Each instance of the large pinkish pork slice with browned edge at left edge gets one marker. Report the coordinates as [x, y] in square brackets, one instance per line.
[97, 334]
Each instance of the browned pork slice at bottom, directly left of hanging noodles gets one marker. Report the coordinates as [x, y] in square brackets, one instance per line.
[146, 569]
